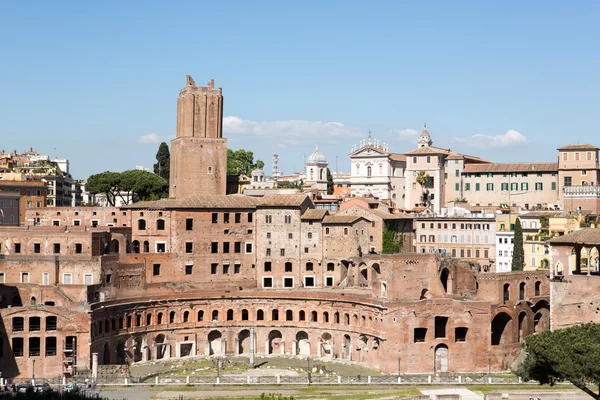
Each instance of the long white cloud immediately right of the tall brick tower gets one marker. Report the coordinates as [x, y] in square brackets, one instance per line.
[291, 132]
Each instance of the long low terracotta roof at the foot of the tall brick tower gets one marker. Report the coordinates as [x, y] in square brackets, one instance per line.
[199, 201]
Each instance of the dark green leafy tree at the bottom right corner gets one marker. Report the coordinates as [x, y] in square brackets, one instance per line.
[572, 354]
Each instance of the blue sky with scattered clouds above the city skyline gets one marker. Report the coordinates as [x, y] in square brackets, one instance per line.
[97, 82]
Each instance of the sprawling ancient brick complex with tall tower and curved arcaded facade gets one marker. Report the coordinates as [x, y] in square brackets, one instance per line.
[204, 274]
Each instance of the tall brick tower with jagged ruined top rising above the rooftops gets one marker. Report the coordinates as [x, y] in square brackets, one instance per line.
[199, 152]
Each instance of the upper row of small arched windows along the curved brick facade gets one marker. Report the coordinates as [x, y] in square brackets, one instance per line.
[134, 320]
